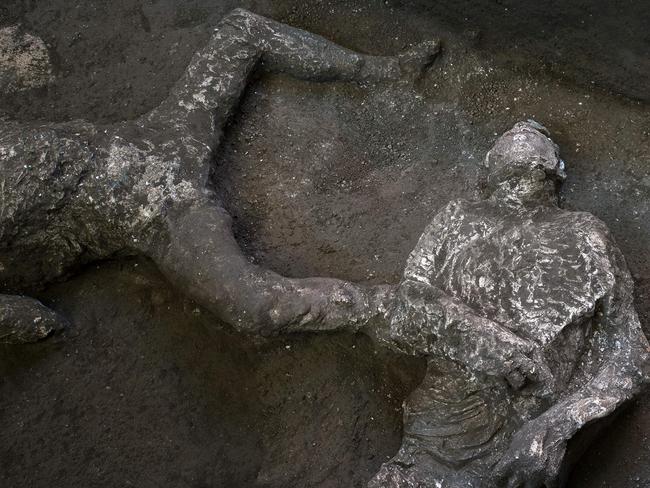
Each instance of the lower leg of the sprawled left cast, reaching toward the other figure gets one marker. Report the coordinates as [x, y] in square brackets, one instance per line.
[199, 254]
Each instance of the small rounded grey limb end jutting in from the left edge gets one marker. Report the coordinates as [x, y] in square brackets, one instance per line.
[24, 319]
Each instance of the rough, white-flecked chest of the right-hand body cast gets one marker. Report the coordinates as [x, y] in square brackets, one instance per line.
[534, 270]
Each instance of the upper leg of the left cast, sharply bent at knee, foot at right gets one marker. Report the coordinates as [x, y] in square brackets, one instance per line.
[203, 99]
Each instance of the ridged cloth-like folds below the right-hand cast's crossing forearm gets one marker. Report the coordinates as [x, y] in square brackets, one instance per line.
[454, 427]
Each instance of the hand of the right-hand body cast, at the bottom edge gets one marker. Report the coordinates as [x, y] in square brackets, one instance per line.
[532, 460]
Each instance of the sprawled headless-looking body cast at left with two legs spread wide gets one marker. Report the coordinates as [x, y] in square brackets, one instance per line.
[75, 192]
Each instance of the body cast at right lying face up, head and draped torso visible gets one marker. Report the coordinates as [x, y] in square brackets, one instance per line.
[489, 280]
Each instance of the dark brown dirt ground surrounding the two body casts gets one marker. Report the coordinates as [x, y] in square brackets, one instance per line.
[147, 390]
